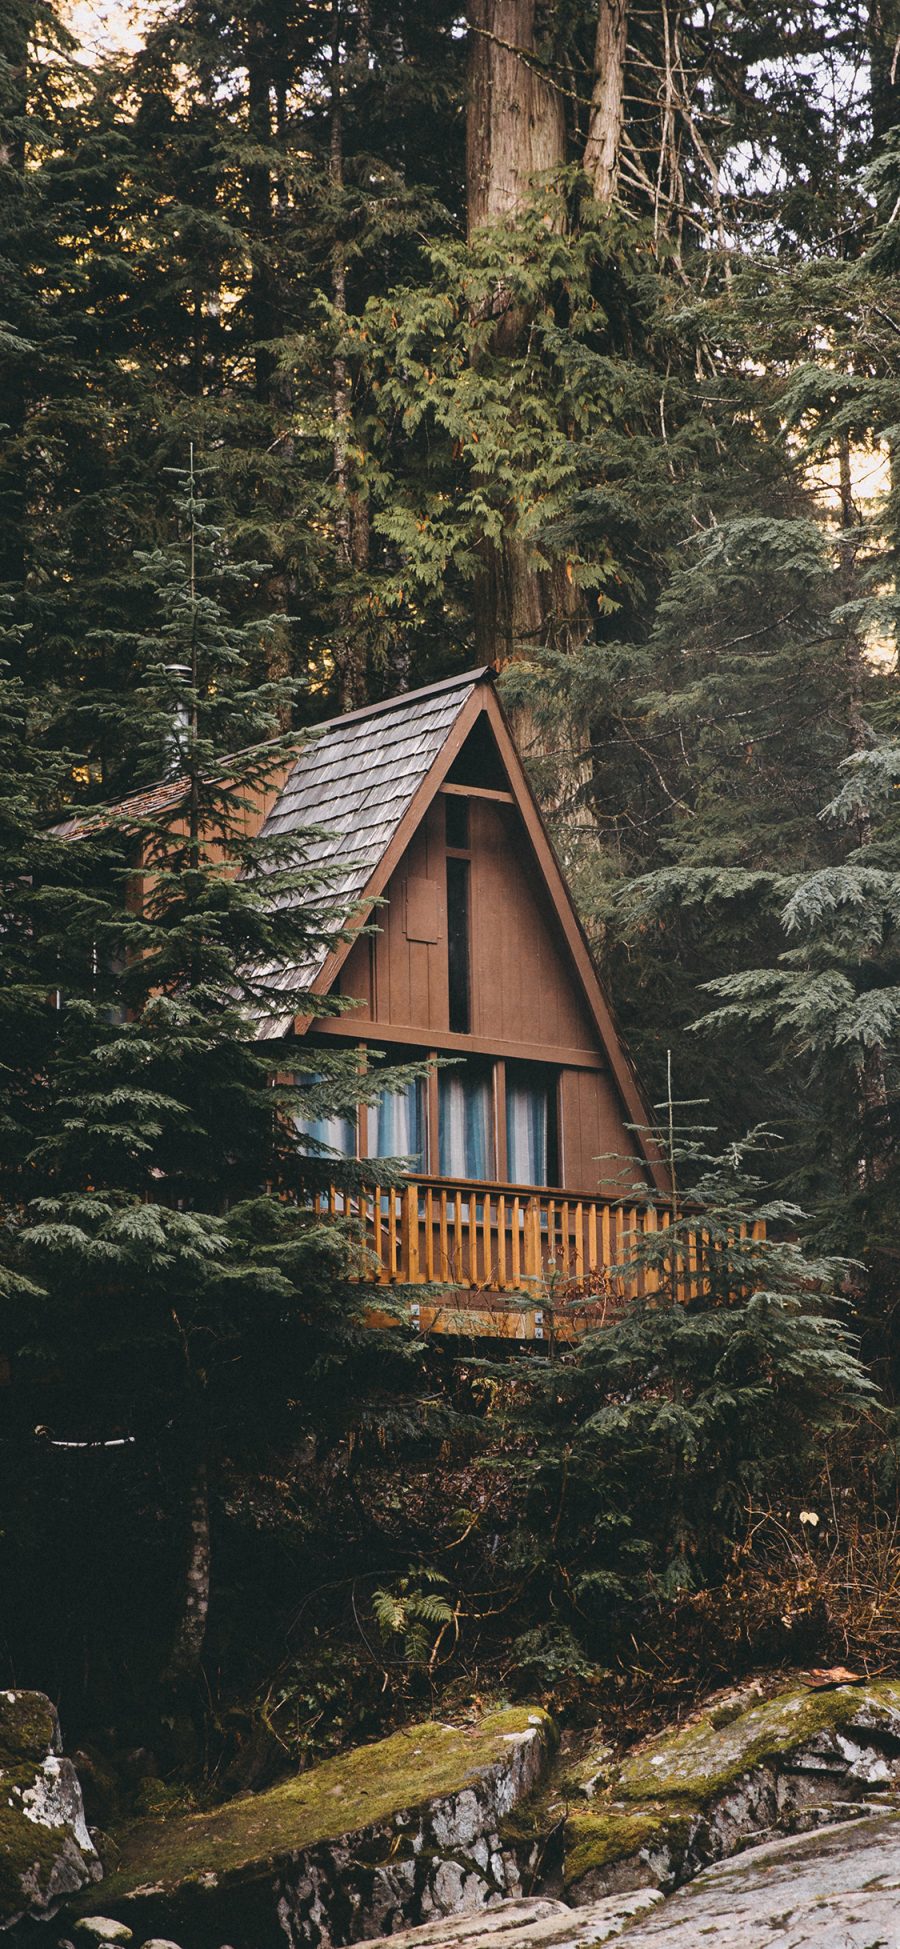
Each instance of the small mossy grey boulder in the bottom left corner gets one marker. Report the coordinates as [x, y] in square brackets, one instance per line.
[46, 1851]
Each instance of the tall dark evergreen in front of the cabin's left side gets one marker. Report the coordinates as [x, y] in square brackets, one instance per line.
[159, 1241]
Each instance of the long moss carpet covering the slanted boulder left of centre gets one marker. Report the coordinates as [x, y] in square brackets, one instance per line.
[348, 1794]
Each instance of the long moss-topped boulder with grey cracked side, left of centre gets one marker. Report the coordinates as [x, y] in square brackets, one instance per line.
[402, 1831]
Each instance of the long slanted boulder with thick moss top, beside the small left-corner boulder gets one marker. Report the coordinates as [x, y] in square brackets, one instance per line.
[381, 1810]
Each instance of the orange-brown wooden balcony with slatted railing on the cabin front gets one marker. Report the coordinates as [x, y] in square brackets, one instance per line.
[519, 1262]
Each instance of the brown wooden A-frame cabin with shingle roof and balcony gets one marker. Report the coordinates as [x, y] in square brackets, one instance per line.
[527, 1151]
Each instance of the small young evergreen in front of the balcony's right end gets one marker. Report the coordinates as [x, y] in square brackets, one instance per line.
[642, 1447]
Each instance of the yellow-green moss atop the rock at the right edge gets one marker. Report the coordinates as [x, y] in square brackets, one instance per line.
[702, 1759]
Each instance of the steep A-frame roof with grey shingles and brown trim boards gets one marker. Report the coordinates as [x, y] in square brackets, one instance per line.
[369, 779]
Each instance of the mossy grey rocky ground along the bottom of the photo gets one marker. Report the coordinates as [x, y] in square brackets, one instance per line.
[767, 1815]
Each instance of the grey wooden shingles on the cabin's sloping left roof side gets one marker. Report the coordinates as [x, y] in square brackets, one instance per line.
[357, 781]
